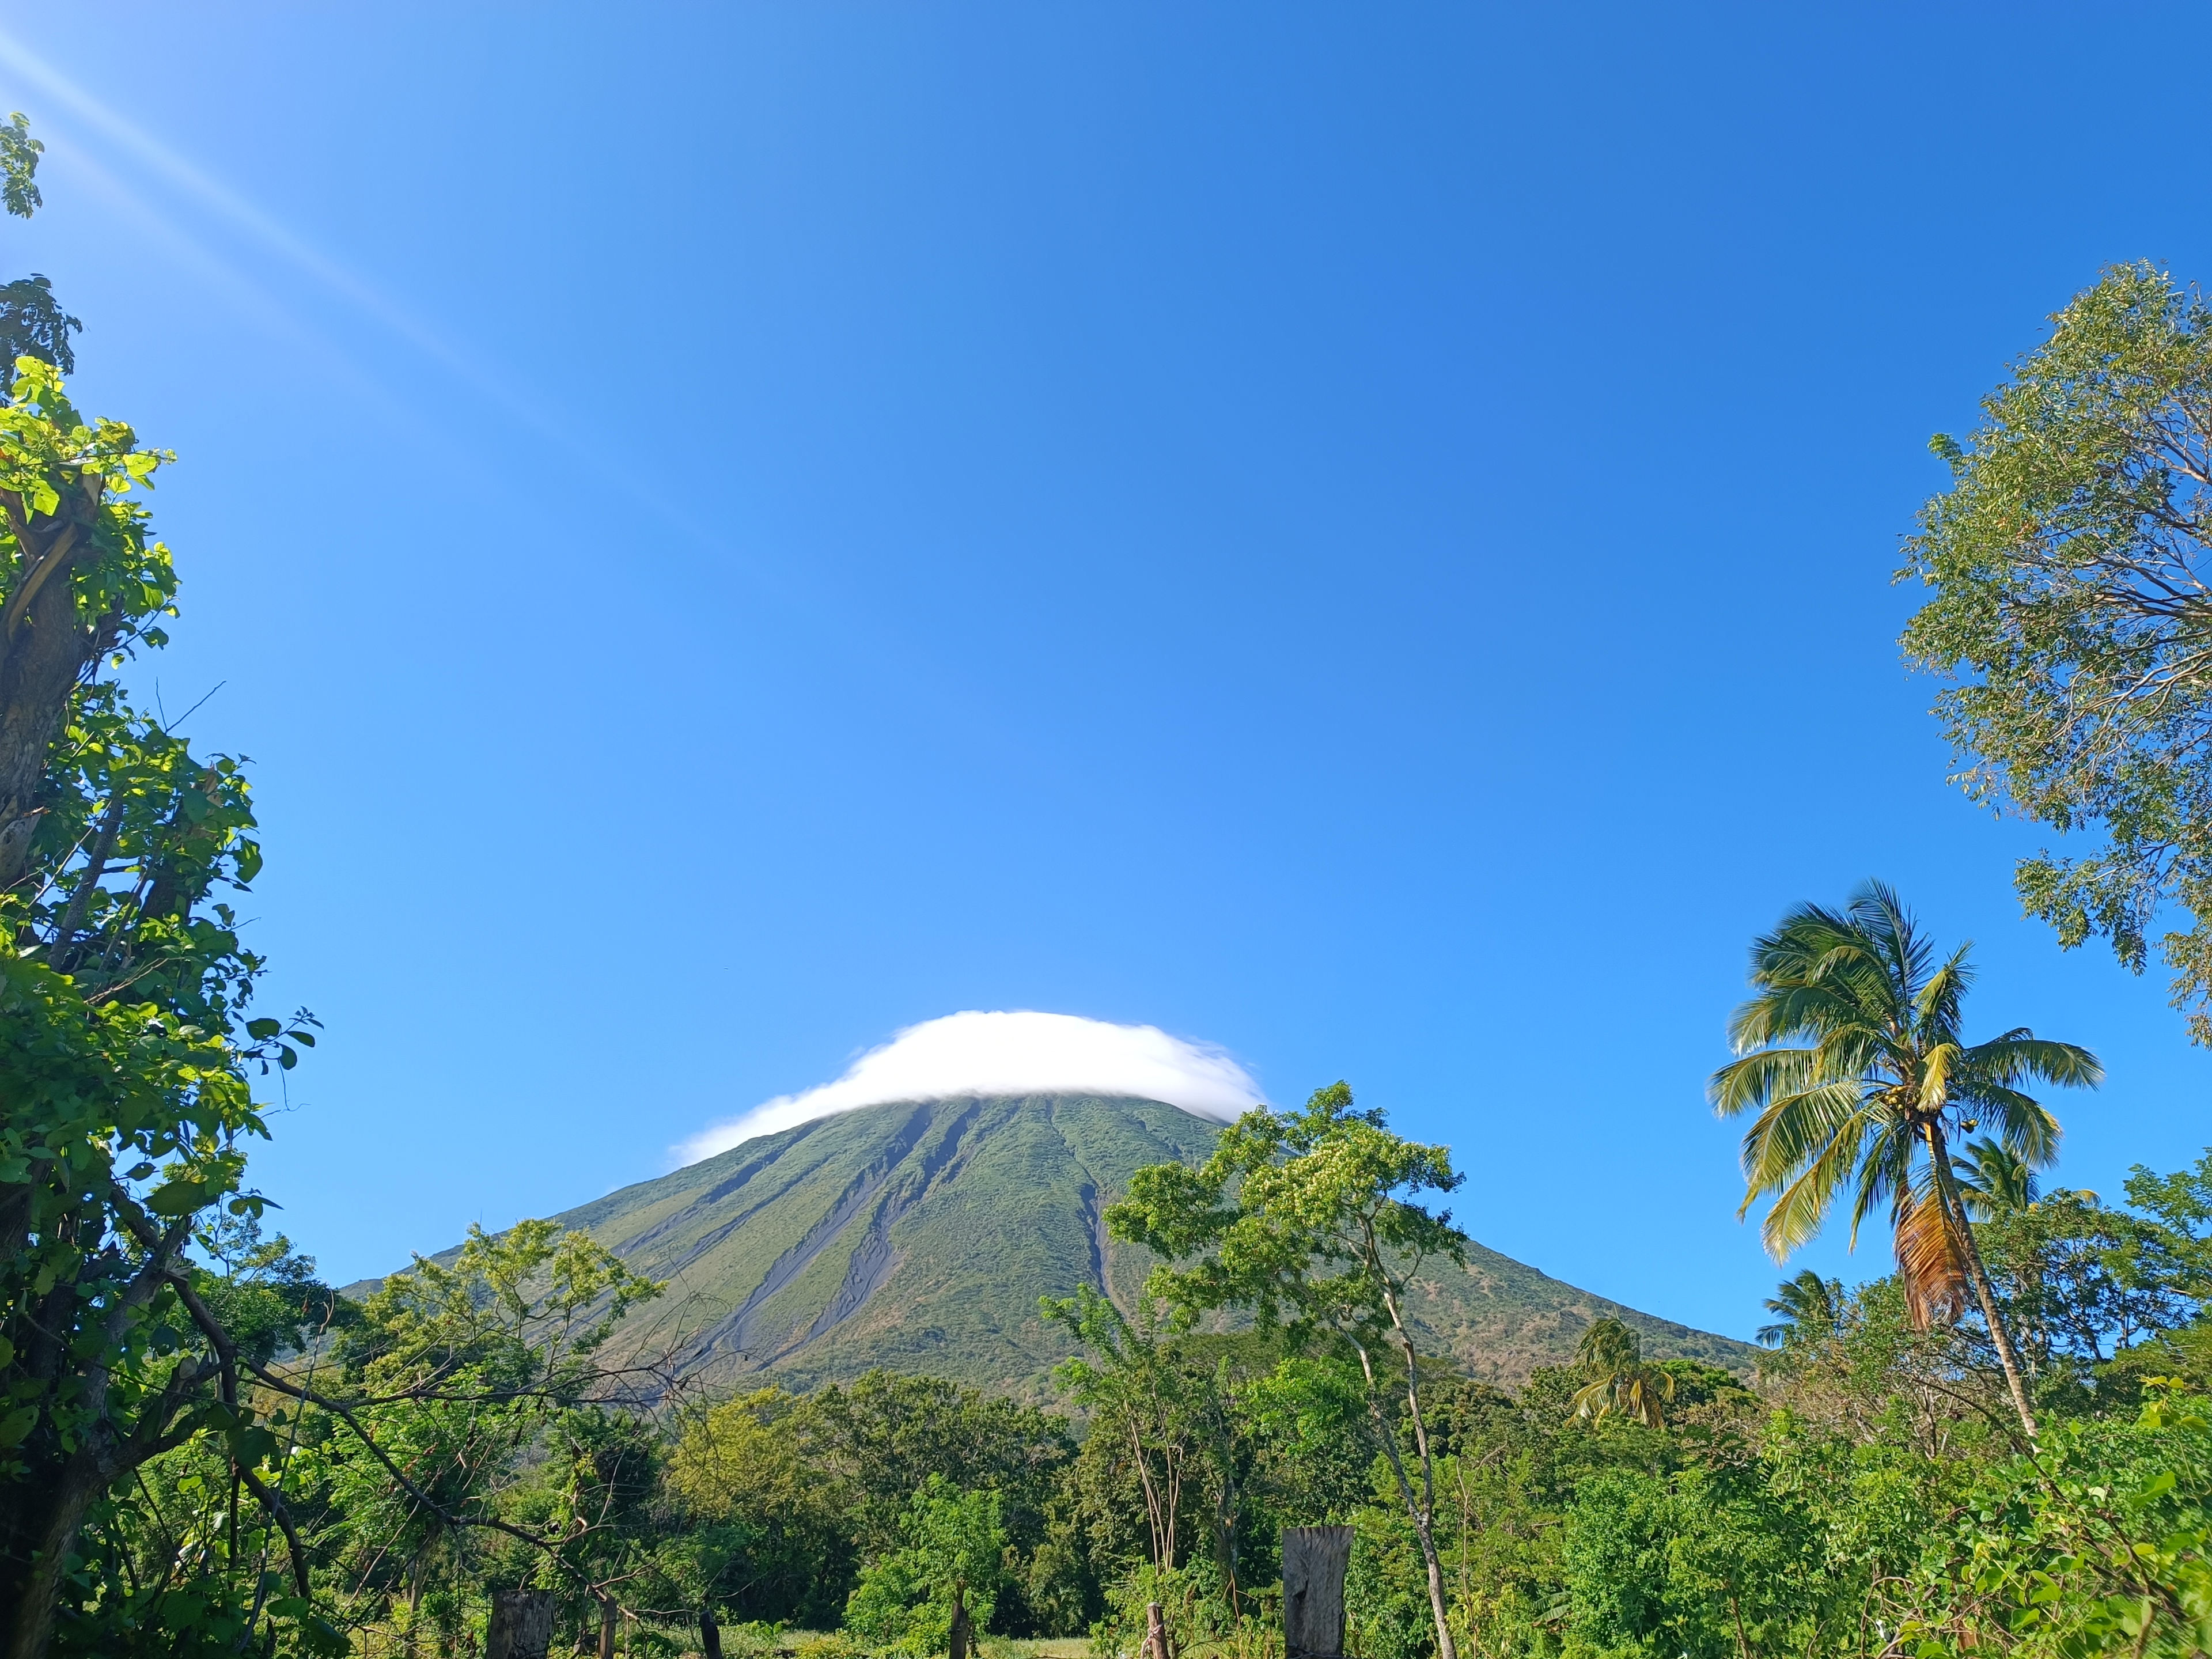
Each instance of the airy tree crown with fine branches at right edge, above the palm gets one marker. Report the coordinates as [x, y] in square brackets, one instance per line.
[2072, 607]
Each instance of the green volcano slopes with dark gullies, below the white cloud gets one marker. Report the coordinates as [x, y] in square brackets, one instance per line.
[921, 1238]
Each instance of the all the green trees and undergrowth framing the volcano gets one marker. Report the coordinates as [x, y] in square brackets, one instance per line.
[2001, 1446]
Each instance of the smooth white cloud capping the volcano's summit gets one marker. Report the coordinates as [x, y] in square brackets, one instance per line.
[1008, 1054]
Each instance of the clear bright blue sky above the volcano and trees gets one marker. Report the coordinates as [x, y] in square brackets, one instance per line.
[1361, 536]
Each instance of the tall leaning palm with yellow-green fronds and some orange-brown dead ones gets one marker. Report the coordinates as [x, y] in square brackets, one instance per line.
[1853, 1063]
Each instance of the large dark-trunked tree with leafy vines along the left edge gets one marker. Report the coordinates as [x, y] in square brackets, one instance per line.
[125, 1039]
